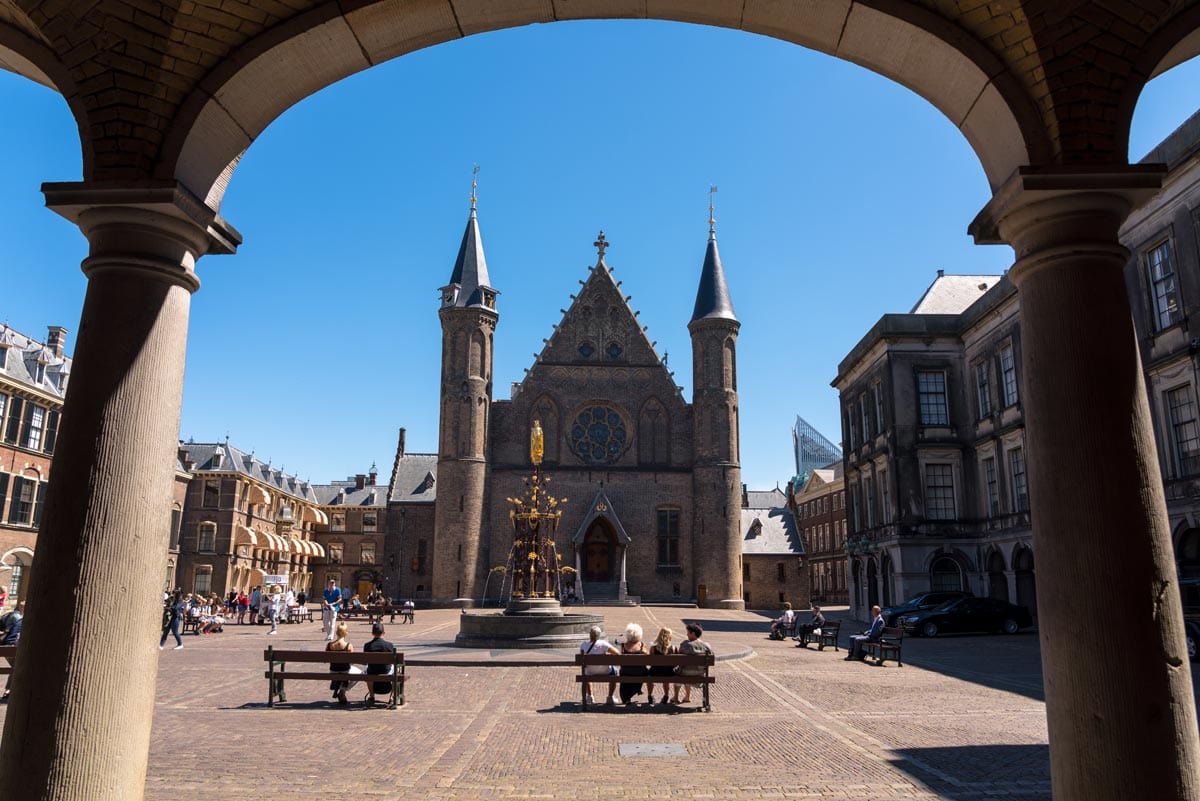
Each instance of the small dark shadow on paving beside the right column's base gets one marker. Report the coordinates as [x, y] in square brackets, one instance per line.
[967, 772]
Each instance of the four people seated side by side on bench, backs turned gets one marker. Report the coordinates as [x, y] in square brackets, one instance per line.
[657, 674]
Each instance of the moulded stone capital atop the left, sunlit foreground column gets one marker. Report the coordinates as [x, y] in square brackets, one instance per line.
[159, 227]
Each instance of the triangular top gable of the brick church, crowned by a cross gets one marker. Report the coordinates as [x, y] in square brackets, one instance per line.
[601, 329]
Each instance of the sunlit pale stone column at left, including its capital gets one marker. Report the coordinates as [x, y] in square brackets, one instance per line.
[79, 721]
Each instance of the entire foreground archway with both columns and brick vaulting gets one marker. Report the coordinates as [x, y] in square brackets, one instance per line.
[1052, 140]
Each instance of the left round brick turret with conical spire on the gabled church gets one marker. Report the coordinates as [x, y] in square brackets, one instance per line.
[469, 324]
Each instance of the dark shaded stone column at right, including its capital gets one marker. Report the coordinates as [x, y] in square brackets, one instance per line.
[1121, 718]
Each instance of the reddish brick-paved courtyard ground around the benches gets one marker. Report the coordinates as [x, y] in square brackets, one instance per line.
[963, 720]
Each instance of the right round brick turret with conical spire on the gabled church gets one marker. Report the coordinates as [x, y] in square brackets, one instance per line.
[717, 479]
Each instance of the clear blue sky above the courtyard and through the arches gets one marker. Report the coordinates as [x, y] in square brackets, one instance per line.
[841, 195]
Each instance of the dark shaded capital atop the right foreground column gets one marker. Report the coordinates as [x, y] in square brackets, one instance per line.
[1048, 214]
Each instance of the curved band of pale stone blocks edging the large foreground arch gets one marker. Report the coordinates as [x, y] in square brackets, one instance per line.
[272, 73]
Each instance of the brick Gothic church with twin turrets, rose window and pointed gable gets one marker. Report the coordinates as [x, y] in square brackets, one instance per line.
[653, 481]
